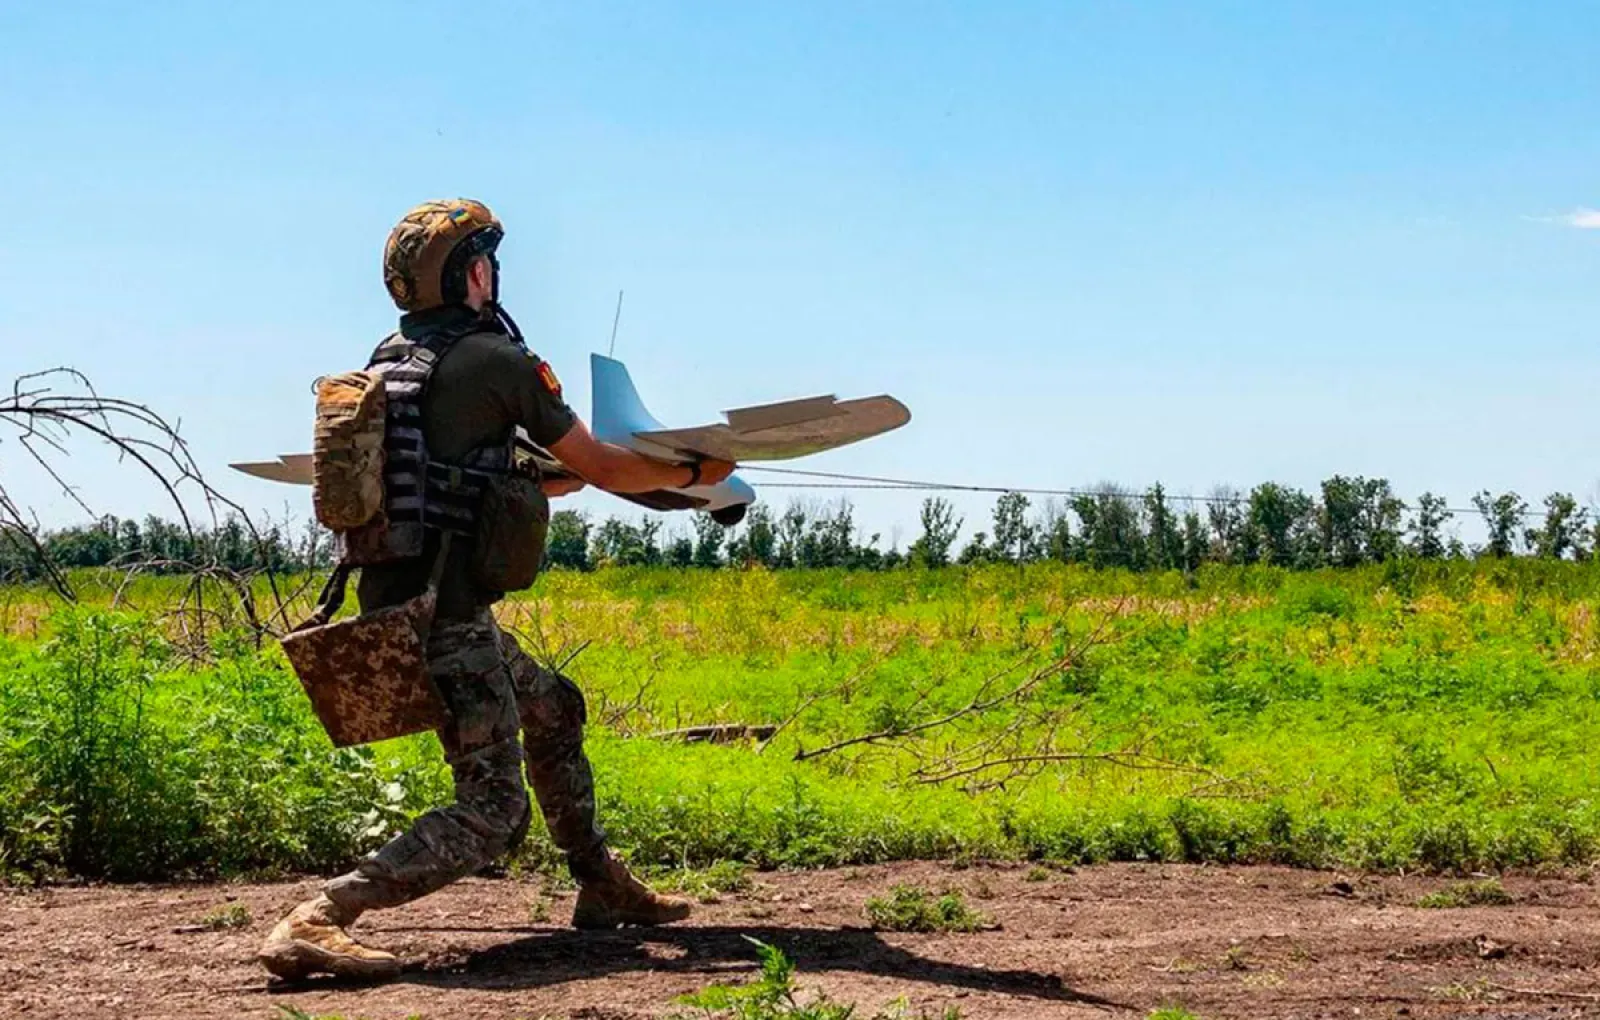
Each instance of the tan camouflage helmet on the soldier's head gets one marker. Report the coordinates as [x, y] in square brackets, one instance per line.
[428, 252]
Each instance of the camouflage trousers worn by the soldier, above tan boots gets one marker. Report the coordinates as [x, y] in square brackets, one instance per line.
[494, 691]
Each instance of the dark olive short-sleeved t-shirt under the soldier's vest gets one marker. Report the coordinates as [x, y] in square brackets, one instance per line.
[486, 386]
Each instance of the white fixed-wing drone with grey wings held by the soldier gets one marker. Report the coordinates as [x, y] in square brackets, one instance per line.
[766, 432]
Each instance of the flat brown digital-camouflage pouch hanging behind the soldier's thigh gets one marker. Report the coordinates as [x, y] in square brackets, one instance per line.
[367, 677]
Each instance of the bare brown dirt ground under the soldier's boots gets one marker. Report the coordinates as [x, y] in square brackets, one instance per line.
[1116, 941]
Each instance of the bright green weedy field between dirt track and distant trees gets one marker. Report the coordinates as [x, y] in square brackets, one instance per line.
[1391, 717]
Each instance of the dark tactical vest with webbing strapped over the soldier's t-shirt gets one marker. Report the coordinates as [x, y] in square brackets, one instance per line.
[422, 493]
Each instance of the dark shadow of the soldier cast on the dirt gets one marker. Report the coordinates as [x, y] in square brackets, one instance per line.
[722, 954]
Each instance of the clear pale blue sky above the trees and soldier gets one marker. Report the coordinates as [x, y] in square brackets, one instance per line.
[1186, 242]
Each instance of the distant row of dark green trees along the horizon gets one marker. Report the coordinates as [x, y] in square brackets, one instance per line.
[1348, 522]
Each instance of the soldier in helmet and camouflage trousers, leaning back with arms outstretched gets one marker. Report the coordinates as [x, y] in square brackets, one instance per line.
[442, 273]
